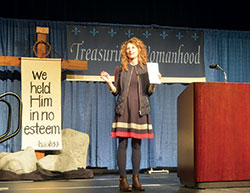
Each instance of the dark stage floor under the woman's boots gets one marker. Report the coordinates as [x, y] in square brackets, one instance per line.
[153, 183]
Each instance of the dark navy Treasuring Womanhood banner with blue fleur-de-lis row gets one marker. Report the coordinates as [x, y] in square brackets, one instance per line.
[180, 53]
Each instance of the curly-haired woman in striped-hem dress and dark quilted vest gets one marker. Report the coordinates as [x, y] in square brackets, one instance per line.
[132, 118]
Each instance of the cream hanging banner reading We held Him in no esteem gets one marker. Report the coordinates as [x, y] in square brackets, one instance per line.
[41, 96]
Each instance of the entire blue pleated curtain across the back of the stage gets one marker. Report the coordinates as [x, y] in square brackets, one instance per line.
[88, 106]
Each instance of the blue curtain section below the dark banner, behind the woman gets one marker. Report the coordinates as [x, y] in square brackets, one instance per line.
[88, 107]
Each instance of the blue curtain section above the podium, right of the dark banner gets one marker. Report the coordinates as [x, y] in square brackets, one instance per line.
[230, 50]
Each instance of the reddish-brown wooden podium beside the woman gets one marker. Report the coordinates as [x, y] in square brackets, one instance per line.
[214, 135]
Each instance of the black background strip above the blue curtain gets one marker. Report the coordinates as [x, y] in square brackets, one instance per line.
[231, 15]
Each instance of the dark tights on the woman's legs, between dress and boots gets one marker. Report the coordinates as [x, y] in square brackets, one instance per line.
[122, 154]
